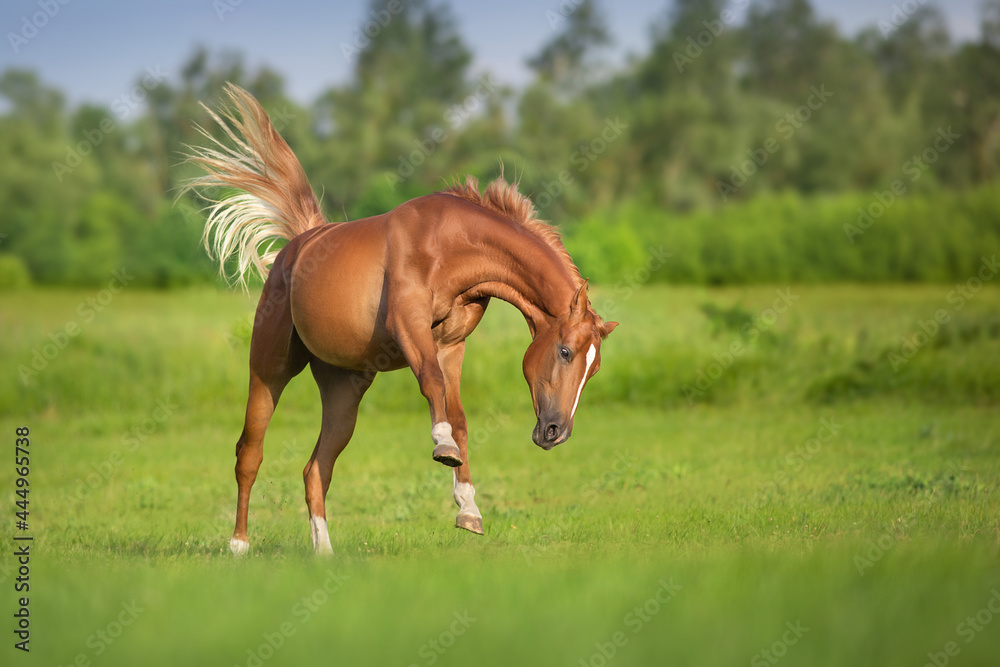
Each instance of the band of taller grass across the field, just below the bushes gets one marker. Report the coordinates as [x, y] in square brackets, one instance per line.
[795, 345]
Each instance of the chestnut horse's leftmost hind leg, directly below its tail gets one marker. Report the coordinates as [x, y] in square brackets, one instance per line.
[276, 356]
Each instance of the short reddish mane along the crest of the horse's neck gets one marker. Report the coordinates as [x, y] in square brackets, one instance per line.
[503, 198]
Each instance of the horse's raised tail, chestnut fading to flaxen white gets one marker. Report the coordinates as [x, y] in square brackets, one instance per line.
[272, 200]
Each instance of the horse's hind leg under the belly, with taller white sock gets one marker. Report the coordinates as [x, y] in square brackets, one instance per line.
[341, 391]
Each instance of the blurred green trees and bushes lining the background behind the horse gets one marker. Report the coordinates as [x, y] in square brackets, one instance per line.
[733, 104]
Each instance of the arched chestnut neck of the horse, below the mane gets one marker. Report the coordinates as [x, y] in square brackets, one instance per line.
[523, 271]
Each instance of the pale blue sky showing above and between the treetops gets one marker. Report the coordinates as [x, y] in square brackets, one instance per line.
[95, 51]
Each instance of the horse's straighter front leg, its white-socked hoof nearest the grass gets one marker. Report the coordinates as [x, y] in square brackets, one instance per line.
[469, 518]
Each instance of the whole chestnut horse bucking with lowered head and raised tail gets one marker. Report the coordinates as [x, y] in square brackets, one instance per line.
[403, 289]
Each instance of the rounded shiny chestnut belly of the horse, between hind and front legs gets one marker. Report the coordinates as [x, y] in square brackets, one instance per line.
[336, 302]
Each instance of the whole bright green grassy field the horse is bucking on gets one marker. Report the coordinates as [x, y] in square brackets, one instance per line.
[804, 476]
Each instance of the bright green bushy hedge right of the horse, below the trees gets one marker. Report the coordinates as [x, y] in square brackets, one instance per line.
[783, 238]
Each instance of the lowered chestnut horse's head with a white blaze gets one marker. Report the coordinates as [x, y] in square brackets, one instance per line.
[562, 357]
